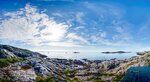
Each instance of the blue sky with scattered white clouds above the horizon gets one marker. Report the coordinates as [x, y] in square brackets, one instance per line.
[83, 25]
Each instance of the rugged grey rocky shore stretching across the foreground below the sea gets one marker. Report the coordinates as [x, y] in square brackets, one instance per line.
[36, 64]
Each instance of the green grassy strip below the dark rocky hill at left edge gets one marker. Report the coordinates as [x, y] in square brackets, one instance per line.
[4, 62]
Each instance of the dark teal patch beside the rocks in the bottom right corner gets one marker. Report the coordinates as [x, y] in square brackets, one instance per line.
[137, 74]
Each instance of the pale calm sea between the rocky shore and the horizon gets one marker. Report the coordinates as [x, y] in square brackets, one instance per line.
[87, 55]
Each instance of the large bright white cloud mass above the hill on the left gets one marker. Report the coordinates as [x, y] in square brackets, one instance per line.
[33, 27]
